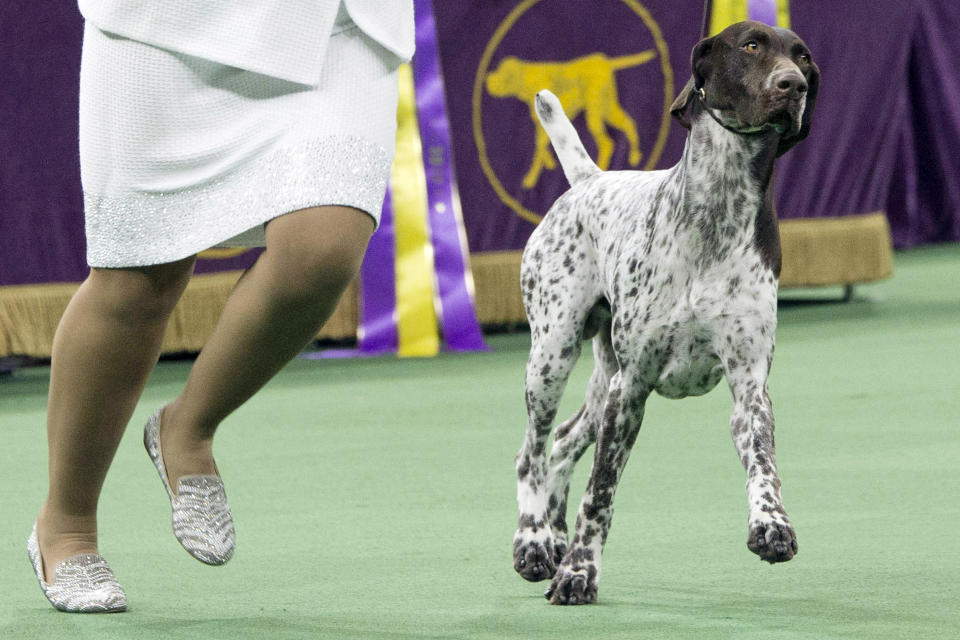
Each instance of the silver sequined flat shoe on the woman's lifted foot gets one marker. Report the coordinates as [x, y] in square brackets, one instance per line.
[202, 521]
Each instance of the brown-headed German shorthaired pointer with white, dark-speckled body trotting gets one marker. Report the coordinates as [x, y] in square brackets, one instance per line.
[673, 274]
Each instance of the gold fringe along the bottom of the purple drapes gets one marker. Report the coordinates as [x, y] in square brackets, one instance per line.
[817, 252]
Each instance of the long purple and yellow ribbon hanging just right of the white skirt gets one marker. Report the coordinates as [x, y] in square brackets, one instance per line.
[416, 280]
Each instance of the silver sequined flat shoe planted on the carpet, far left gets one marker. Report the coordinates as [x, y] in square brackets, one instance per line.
[82, 583]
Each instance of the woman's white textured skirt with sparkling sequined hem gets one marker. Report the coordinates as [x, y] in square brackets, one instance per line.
[179, 154]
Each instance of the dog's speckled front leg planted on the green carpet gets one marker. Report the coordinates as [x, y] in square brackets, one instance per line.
[578, 575]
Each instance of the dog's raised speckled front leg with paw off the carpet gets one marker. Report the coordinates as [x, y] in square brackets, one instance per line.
[771, 535]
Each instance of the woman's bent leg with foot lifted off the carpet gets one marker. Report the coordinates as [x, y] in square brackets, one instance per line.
[275, 310]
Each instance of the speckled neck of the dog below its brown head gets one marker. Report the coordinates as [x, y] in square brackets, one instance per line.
[727, 197]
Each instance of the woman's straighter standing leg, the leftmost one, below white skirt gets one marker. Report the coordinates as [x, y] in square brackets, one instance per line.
[105, 347]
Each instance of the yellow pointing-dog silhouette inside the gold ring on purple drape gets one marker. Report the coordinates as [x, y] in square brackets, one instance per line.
[584, 85]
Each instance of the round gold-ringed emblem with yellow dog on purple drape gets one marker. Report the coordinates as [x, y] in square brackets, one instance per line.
[565, 47]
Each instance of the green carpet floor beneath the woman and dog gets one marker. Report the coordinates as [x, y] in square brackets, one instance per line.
[375, 498]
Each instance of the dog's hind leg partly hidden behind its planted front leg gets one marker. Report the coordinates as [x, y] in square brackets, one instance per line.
[572, 438]
